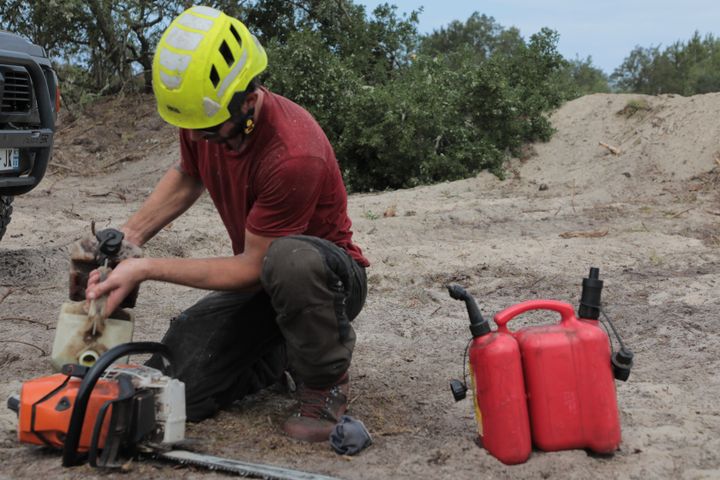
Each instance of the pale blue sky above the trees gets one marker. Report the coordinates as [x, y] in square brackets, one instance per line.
[606, 30]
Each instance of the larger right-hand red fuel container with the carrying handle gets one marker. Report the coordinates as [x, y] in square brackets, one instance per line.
[568, 380]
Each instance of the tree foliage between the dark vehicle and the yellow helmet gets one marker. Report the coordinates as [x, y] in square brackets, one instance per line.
[101, 45]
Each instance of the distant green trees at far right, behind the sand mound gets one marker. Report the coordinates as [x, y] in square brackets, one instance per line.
[685, 68]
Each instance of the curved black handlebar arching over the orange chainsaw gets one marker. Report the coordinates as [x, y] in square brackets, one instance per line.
[72, 439]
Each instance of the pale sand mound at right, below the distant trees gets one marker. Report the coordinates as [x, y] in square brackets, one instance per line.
[657, 139]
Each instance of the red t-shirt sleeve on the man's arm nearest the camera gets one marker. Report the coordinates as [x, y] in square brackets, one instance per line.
[288, 194]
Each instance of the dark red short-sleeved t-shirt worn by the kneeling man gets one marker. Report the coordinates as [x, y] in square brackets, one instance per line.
[285, 182]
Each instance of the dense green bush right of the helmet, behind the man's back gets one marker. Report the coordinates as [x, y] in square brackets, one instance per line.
[441, 117]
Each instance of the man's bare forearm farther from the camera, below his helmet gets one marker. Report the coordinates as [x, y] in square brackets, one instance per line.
[174, 194]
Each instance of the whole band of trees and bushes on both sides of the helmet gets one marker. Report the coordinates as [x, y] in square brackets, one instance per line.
[401, 109]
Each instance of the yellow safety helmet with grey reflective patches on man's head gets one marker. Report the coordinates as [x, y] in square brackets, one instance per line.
[203, 58]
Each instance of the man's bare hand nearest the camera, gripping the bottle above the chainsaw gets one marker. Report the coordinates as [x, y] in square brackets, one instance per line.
[119, 283]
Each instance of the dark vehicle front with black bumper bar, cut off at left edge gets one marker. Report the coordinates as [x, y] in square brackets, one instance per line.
[29, 101]
